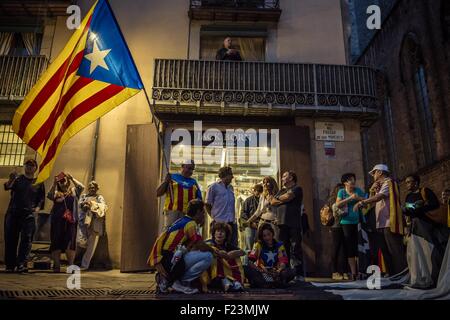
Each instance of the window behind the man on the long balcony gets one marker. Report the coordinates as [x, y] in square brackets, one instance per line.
[250, 48]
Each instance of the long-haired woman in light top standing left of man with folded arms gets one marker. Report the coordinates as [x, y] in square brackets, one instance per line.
[266, 213]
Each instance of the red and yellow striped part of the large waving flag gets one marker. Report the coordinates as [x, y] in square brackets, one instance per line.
[63, 103]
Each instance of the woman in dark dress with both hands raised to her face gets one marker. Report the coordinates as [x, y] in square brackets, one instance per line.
[64, 218]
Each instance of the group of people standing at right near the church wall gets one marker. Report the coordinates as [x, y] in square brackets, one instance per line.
[389, 224]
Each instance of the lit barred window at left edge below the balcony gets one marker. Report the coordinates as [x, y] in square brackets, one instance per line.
[12, 148]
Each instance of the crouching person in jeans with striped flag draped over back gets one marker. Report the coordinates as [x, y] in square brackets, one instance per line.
[179, 254]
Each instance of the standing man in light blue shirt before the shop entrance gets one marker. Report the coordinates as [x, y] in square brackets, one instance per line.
[220, 202]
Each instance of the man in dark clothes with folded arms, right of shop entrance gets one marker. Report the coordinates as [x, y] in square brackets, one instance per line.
[289, 217]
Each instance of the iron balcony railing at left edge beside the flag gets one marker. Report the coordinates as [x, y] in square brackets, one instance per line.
[18, 75]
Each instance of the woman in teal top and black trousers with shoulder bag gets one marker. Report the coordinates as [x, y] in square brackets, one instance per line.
[346, 199]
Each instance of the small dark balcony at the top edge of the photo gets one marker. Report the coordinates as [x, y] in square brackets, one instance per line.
[235, 10]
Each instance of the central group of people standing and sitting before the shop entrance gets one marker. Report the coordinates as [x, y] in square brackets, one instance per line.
[270, 219]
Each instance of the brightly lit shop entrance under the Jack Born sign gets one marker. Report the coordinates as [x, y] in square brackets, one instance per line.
[252, 154]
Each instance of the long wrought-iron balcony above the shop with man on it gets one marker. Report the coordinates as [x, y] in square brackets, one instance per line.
[265, 89]
